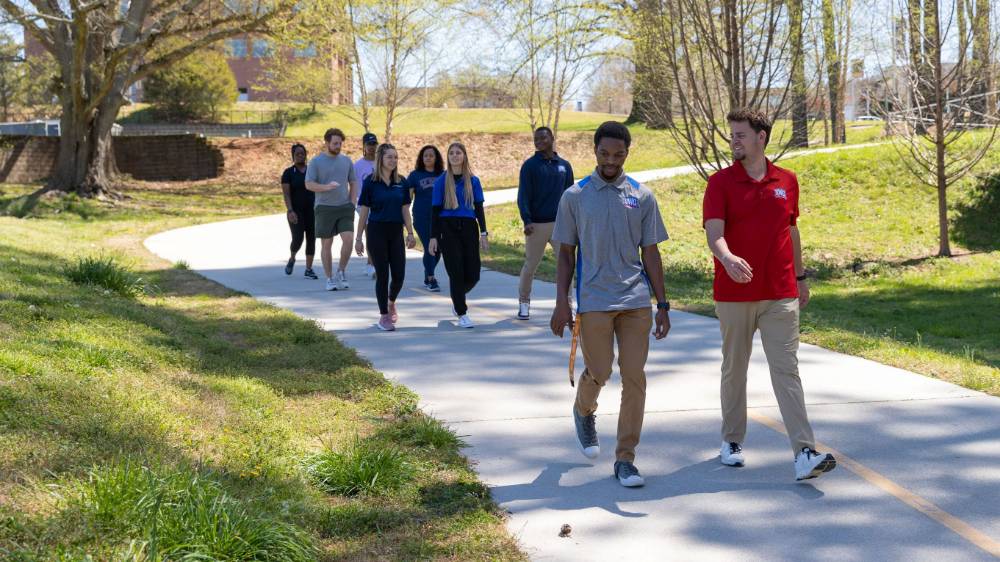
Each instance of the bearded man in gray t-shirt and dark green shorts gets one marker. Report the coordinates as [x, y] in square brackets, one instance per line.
[331, 176]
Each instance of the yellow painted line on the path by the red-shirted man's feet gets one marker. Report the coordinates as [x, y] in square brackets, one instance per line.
[961, 528]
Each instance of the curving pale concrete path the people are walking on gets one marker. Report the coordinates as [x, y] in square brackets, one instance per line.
[920, 459]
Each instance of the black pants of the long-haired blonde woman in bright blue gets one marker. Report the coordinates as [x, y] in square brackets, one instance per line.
[459, 245]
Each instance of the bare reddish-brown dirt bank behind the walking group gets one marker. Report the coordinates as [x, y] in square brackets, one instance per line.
[496, 158]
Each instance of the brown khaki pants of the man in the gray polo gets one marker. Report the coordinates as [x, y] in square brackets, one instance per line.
[598, 331]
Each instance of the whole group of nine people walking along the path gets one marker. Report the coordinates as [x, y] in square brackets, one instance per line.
[605, 230]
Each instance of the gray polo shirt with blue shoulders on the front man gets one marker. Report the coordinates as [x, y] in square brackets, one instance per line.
[608, 223]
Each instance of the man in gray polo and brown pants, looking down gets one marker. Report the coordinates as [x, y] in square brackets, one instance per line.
[609, 226]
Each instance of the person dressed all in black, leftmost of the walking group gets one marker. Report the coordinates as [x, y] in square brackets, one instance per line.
[299, 203]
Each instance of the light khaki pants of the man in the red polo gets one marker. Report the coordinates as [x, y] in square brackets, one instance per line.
[778, 321]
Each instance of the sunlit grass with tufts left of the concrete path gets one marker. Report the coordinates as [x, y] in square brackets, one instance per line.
[156, 415]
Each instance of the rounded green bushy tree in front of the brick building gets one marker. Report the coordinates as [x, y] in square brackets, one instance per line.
[195, 88]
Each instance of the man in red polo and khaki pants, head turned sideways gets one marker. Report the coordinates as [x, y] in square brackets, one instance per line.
[749, 213]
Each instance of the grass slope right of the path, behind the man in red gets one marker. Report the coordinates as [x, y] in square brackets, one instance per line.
[869, 230]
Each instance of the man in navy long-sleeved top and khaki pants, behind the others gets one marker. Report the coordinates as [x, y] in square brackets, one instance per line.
[544, 178]
